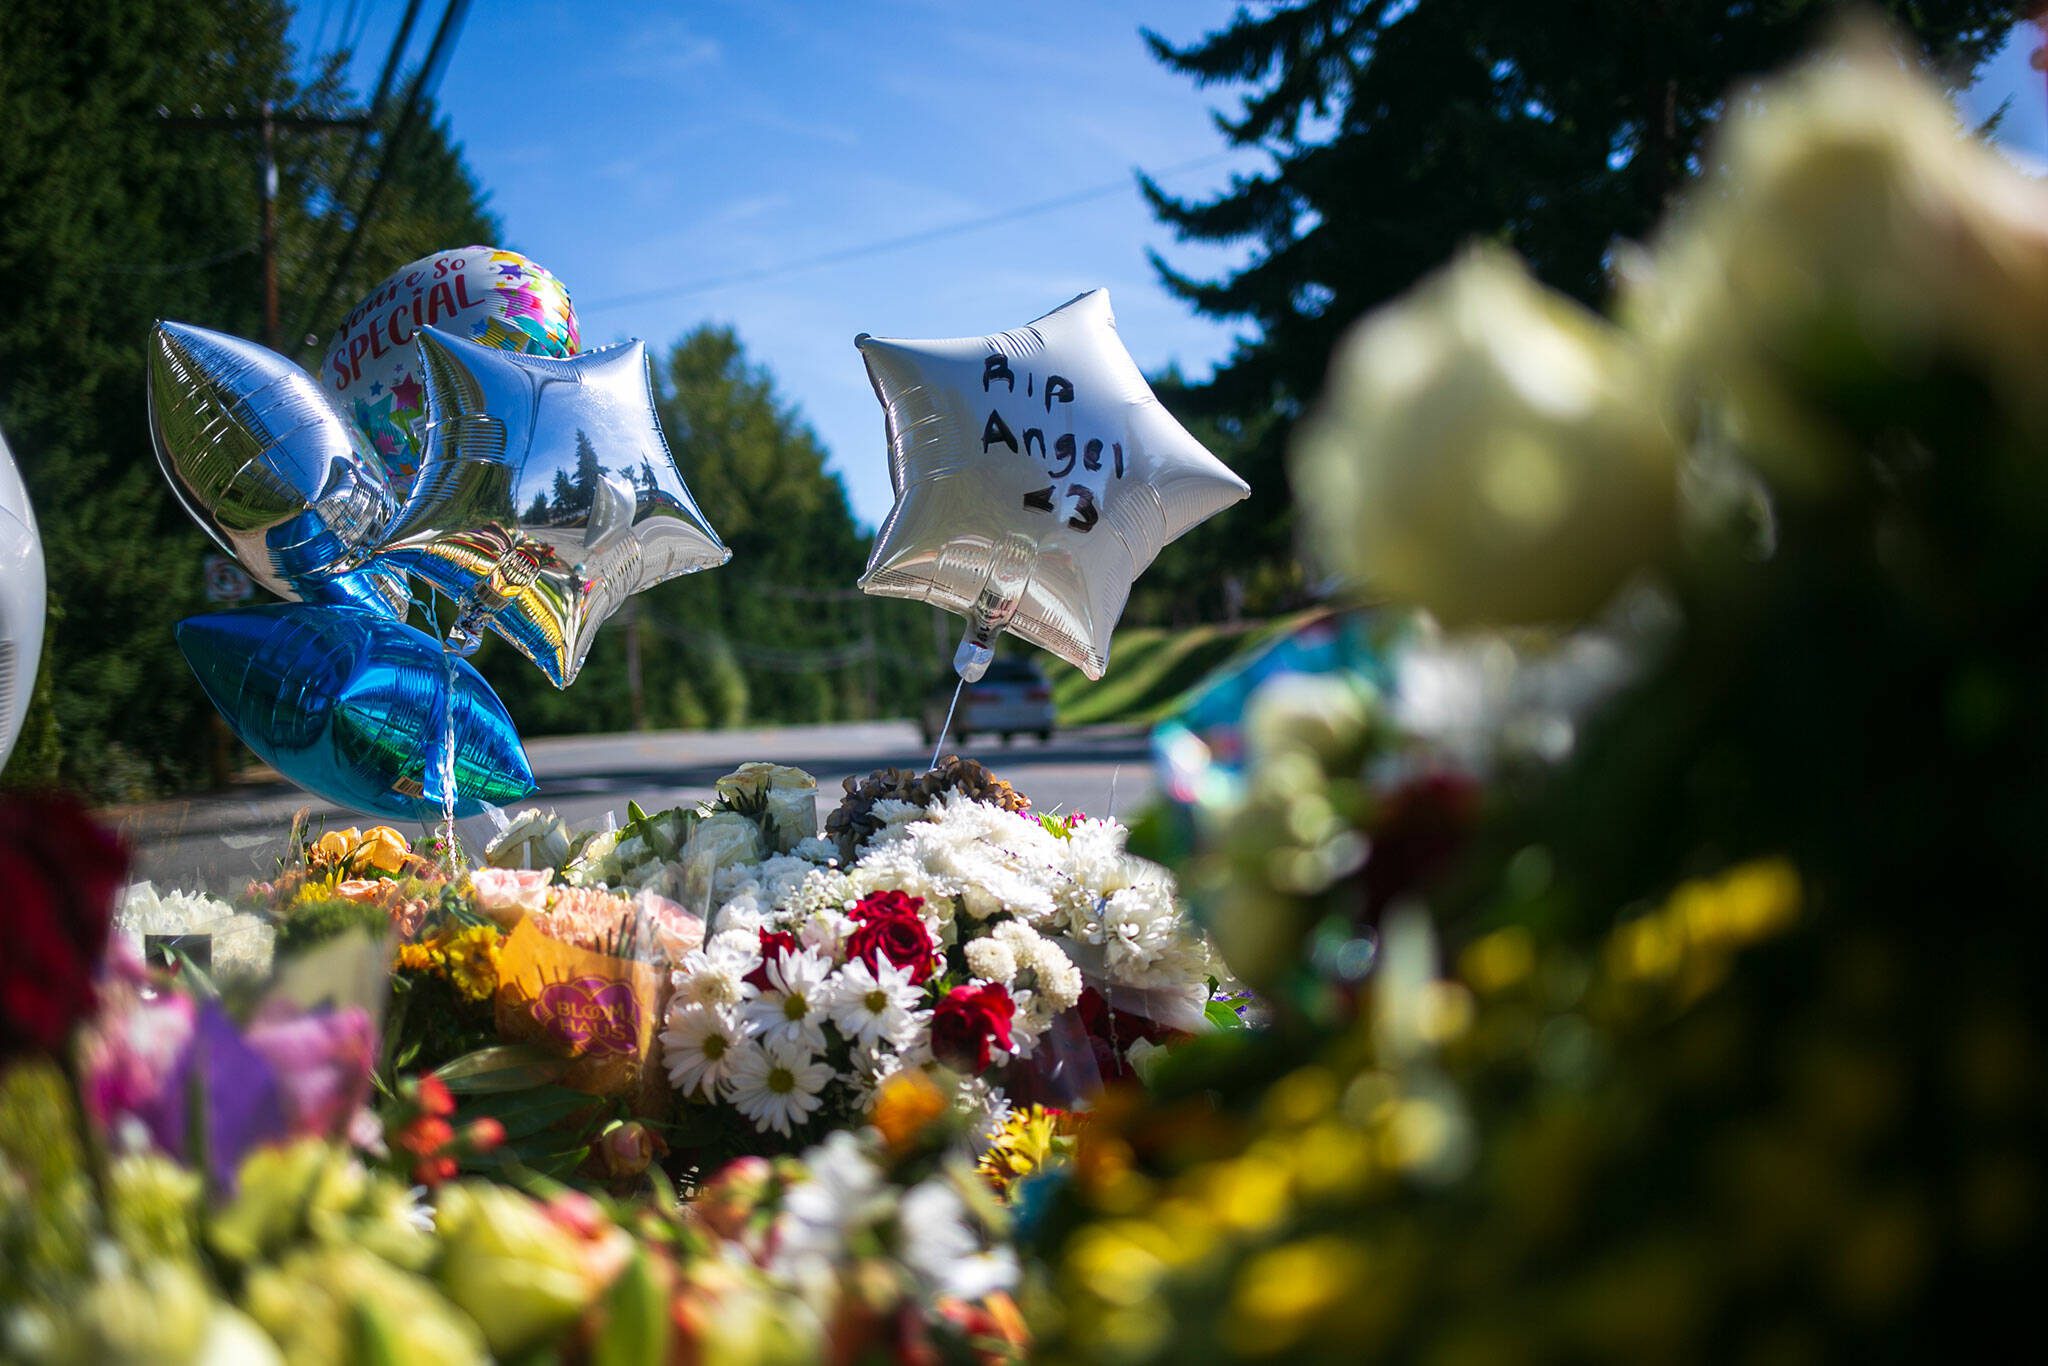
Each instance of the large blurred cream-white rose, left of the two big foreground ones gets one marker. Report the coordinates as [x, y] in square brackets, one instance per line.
[1488, 450]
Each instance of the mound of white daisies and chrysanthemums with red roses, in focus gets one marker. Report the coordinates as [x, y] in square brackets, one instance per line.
[964, 937]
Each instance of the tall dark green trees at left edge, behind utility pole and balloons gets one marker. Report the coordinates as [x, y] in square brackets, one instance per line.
[110, 220]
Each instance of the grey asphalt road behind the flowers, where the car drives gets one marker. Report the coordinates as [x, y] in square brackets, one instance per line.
[220, 843]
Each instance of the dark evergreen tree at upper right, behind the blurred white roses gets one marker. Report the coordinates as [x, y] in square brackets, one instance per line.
[1402, 130]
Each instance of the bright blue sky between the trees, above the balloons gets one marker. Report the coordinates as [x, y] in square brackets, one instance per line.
[638, 148]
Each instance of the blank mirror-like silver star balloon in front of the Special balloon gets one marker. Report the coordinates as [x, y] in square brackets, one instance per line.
[546, 497]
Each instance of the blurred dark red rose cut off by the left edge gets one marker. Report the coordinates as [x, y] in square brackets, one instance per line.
[58, 873]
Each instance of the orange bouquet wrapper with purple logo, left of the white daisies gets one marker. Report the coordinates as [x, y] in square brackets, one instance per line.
[597, 1011]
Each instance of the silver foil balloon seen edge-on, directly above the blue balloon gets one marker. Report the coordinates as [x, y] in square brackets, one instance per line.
[269, 468]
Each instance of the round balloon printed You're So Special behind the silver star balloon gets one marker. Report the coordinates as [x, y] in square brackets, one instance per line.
[478, 294]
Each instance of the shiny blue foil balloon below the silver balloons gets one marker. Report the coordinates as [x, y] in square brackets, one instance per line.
[353, 708]
